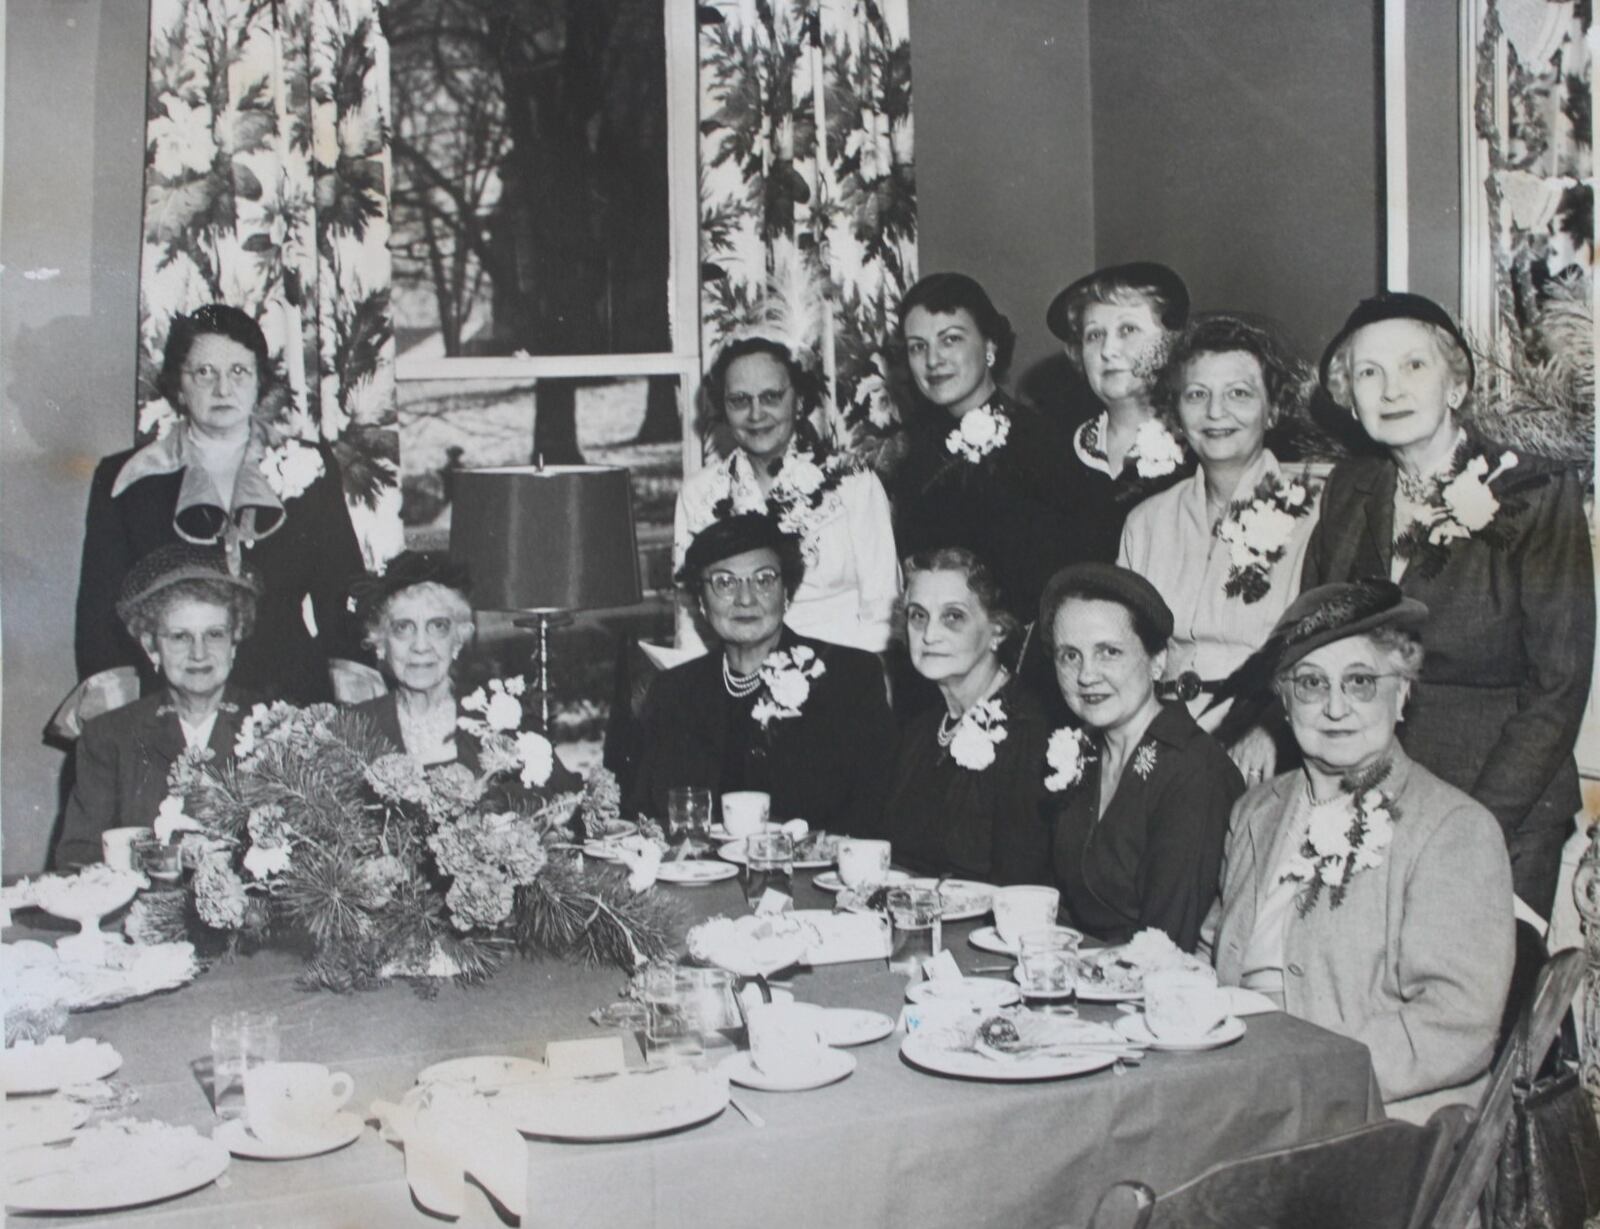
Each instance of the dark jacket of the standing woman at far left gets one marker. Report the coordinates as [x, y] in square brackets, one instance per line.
[313, 553]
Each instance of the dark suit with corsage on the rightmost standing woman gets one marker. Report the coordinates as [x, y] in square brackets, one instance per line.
[1510, 646]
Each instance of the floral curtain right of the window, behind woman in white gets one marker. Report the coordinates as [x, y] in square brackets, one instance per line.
[807, 161]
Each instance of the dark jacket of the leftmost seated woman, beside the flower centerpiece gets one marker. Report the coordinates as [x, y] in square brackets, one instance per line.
[122, 763]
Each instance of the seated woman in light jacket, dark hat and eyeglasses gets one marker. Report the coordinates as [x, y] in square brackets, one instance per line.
[1361, 891]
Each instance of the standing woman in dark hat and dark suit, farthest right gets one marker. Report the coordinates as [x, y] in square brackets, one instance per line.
[1495, 545]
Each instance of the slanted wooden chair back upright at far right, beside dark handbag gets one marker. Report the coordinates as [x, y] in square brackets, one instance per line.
[1468, 1172]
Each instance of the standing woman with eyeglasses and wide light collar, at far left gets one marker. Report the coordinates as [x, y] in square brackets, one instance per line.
[223, 473]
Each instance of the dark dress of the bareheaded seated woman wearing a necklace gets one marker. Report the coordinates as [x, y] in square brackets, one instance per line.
[985, 825]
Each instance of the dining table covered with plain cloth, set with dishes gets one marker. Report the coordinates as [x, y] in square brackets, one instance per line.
[890, 1145]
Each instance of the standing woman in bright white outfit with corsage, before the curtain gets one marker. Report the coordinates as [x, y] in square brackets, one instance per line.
[780, 466]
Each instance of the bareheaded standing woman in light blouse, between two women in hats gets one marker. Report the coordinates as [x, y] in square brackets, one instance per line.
[1225, 546]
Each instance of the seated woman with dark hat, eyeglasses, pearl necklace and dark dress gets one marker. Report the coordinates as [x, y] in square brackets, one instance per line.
[767, 710]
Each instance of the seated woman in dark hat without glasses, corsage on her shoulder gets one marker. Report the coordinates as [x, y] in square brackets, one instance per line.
[1138, 833]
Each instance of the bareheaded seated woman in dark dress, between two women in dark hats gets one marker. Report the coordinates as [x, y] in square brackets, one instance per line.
[969, 788]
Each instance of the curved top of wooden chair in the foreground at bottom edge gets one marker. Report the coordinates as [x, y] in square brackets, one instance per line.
[1369, 1179]
